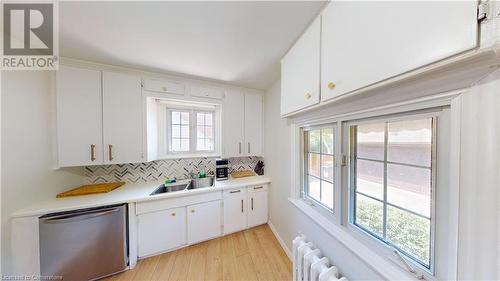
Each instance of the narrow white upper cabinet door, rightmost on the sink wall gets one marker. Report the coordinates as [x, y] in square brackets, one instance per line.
[253, 125]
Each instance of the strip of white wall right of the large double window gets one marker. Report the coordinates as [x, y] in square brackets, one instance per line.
[479, 232]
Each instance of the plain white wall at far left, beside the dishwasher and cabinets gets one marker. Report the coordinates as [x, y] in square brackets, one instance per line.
[27, 147]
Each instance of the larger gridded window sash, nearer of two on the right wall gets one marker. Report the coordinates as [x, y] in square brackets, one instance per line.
[392, 179]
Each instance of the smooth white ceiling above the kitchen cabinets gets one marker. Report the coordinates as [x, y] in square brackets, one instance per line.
[239, 43]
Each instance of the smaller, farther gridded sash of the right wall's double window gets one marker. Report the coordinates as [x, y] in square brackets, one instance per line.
[319, 166]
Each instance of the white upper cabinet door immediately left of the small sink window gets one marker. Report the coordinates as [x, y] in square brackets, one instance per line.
[122, 118]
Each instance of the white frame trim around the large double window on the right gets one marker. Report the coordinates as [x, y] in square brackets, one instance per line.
[386, 265]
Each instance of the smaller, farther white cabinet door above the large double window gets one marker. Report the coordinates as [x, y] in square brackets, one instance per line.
[300, 72]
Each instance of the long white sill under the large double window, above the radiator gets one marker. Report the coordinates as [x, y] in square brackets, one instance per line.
[378, 263]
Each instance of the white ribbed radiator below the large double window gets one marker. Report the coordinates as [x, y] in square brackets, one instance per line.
[310, 265]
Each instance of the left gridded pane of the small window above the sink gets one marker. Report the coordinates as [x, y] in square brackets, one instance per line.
[180, 132]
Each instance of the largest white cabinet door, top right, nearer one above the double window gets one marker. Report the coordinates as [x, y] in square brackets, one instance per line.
[392, 38]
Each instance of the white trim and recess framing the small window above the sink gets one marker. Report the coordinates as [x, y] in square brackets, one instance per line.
[164, 130]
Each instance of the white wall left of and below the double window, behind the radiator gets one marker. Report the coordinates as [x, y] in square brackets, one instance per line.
[287, 220]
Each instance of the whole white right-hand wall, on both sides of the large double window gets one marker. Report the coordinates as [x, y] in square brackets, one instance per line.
[479, 226]
